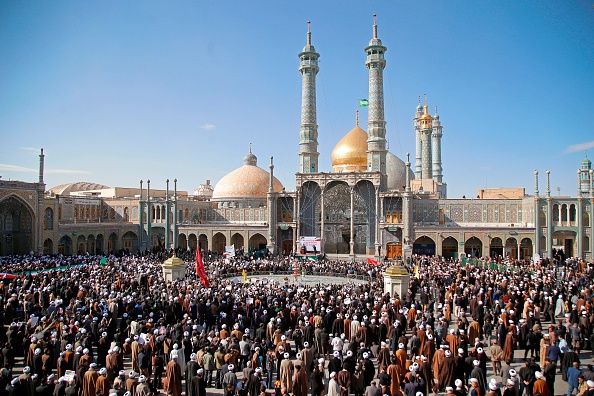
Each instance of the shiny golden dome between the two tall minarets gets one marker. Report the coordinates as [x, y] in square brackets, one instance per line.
[350, 153]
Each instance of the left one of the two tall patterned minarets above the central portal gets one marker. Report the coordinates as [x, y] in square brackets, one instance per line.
[308, 129]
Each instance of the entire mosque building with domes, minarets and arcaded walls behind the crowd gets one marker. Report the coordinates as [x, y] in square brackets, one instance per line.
[370, 204]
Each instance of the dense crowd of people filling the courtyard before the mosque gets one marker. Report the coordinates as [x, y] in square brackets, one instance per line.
[112, 326]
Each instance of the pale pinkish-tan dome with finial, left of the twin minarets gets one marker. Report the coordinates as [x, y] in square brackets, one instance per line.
[246, 182]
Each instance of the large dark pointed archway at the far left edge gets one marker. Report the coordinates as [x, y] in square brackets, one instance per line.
[16, 227]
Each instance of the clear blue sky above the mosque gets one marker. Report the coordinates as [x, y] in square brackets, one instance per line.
[116, 92]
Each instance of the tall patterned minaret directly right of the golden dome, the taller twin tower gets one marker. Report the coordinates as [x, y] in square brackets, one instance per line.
[376, 124]
